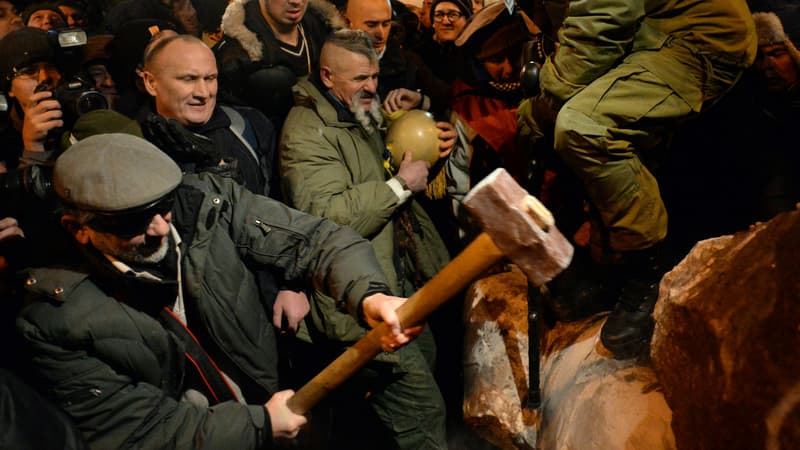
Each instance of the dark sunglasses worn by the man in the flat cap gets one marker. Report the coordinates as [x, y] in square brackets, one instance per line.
[133, 222]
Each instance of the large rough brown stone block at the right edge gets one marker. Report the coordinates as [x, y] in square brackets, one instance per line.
[726, 341]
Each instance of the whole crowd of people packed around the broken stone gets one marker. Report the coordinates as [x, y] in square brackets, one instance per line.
[198, 209]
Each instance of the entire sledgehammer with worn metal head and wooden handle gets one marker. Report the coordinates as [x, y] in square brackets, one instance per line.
[516, 225]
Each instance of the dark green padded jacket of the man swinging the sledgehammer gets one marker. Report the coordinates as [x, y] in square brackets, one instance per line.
[119, 373]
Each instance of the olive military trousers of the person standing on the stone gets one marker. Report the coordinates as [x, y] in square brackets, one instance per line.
[604, 131]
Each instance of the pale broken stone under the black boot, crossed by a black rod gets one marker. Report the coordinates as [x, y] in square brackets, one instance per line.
[590, 401]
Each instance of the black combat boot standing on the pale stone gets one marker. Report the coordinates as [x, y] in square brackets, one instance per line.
[629, 326]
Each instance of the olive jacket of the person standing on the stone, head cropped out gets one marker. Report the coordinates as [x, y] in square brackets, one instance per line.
[598, 34]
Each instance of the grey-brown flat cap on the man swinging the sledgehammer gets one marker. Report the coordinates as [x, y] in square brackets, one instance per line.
[114, 172]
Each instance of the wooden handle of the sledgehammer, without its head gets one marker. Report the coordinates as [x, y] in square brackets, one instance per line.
[480, 255]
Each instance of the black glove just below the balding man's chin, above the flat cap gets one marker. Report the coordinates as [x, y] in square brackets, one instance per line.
[179, 143]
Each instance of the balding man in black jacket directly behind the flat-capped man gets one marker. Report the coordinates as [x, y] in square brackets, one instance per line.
[180, 72]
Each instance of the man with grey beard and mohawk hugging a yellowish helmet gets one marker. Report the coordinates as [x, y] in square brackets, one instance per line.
[333, 164]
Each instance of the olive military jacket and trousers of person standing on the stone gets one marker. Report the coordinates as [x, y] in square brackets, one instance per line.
[627, 73]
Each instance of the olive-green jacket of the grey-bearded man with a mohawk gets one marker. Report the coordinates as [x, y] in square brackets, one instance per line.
[331, 167]
